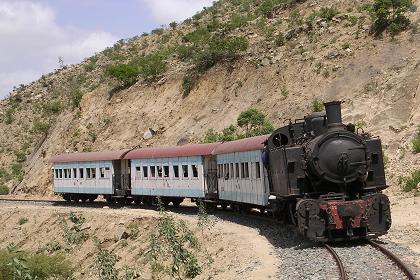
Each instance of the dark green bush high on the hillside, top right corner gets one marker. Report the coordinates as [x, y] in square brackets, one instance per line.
[390, 15]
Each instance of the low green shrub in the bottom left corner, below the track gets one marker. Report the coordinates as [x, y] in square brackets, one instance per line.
[21, 265]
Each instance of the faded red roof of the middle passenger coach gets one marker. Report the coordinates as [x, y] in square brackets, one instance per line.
[176, 151]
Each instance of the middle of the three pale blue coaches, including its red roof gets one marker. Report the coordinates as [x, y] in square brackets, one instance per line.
[174, 172]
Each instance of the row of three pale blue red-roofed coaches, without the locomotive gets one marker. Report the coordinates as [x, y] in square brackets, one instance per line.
[230, 173]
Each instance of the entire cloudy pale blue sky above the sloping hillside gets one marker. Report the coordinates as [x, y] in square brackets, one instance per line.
[34, 34]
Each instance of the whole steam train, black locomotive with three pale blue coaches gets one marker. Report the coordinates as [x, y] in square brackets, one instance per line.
[321, 175]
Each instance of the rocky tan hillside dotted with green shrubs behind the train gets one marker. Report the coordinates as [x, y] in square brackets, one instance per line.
[276, 56]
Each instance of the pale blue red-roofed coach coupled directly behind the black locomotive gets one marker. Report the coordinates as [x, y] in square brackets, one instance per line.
[242, 177]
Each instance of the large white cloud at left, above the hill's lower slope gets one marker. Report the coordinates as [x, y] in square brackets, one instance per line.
[32, 40]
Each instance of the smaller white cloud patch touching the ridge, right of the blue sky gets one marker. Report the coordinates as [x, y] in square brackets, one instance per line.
[165, 11]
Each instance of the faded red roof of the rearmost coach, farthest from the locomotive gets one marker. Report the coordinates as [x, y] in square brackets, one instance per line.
[92, 156]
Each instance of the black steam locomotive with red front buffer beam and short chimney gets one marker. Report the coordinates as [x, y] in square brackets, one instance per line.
[329, 177]
